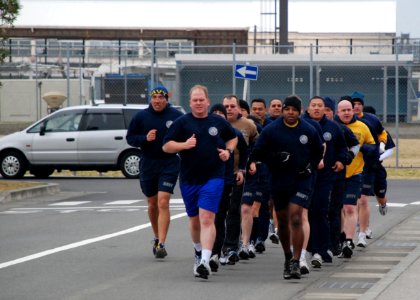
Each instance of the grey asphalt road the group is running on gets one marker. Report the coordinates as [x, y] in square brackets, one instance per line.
[92, 241]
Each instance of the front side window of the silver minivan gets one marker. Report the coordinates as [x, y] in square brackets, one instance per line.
[63, 121]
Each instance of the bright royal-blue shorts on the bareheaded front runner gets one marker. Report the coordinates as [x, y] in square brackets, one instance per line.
[205, 196]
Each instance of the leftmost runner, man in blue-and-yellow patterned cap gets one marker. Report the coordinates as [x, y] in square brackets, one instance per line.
[158, 170]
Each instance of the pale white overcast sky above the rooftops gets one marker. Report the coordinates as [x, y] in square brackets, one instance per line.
[399, 16]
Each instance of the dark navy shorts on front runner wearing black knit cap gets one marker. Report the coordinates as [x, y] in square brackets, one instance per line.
[298, 193]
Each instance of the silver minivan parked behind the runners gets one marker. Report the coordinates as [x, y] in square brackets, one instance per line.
[73, 138]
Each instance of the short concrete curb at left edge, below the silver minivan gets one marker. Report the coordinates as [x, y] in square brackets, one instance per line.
[25, 193]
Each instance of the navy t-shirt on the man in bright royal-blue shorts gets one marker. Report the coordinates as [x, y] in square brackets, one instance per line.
[202, 162]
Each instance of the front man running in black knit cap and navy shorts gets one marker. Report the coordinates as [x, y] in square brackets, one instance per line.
[292, 149]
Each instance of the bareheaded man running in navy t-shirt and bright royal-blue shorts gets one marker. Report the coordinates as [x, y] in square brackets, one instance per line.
[204, 143]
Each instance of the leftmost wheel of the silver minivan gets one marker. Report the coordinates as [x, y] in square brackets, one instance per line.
[13, 165]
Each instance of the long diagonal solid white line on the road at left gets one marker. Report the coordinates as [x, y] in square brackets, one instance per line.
[79, 244]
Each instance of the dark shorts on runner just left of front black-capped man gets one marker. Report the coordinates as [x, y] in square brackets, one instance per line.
[257, 186]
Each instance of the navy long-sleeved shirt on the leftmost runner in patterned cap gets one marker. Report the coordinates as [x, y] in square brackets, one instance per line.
[146, 120]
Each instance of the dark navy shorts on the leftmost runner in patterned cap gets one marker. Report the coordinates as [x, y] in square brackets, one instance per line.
[158, 175]
